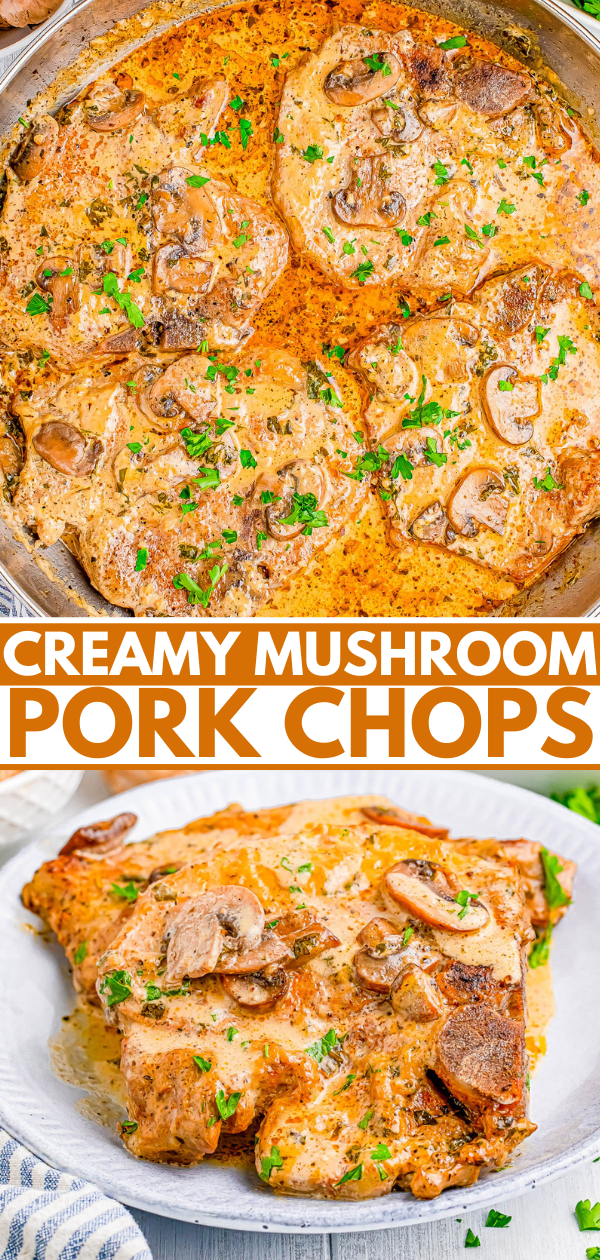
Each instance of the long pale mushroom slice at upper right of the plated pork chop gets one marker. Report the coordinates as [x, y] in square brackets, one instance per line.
[429, 893]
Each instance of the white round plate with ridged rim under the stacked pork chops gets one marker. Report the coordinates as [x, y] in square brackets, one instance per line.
[36, 991]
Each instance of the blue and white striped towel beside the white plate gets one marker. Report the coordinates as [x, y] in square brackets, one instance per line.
[47, 1215]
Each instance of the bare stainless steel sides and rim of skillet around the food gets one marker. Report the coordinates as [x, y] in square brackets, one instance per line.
[72, 50]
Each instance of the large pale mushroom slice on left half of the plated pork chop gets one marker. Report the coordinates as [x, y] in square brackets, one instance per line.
[229, 915]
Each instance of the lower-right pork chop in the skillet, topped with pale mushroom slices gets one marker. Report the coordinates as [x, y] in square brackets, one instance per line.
[486, 416]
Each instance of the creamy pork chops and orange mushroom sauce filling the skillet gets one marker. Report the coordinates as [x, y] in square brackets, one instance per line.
[413, 180]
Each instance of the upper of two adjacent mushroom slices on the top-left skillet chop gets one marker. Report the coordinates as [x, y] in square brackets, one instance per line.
[185, 214]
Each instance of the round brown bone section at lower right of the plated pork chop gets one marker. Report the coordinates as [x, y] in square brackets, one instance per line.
[481, 1055]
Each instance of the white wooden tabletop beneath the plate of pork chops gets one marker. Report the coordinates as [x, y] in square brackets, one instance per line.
[543, 1228]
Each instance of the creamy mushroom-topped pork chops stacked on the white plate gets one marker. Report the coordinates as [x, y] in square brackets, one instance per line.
[354, 988]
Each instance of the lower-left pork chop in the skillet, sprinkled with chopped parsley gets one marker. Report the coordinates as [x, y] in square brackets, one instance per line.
[195, 487]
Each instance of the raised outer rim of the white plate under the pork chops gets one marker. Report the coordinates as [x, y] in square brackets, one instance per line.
[519, 1184]
